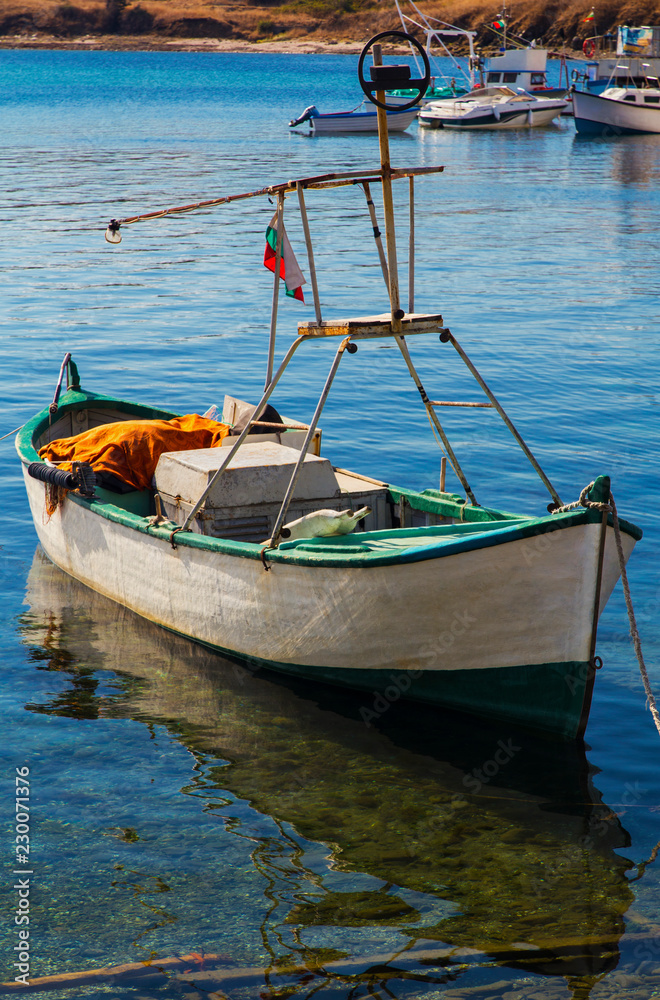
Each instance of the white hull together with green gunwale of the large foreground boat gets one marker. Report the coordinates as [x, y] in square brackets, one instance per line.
[468, 607]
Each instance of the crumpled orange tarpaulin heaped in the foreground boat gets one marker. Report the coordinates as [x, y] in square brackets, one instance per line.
[130, 449]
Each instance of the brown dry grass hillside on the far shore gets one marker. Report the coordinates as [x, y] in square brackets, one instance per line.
[297, 24]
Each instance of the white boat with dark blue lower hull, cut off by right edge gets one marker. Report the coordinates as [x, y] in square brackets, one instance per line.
[618, 111]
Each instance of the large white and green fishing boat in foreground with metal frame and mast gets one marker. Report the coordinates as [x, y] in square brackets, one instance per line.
[247, 544]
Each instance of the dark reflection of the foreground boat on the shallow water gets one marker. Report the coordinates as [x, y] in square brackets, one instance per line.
[491, 848]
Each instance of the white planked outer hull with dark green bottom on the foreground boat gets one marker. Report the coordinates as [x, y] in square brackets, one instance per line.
[503, 631]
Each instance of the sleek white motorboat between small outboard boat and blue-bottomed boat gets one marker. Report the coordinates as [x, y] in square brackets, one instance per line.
[492, 108]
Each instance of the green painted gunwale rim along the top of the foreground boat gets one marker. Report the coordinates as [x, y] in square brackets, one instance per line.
[500, 528]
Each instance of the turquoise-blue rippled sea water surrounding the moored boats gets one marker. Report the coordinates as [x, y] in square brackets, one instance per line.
[183, 805]
